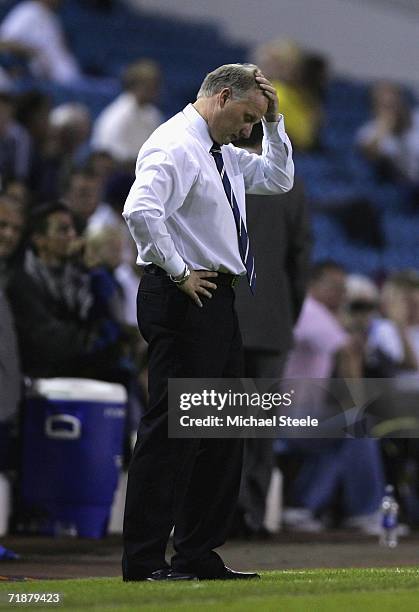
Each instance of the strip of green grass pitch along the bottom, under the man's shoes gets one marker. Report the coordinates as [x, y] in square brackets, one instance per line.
[322, 590]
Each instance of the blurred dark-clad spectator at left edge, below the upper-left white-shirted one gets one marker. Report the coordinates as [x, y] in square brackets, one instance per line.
[14, 143]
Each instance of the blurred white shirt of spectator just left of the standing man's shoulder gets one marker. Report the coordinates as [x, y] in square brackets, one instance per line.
[123, 127]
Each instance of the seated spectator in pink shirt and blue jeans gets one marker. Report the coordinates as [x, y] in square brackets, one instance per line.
[323, 347]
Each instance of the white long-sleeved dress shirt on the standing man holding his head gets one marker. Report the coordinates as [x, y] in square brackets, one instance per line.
[177, 209]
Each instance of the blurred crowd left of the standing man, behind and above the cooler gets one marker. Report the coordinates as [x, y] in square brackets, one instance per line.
[68, 274]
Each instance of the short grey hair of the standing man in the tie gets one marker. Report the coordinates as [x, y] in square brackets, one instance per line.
[240, 78]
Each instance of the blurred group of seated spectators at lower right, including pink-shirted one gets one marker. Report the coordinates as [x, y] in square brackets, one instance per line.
[350, 328]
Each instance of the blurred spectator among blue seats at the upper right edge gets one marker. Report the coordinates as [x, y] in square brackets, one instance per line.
[391, 139]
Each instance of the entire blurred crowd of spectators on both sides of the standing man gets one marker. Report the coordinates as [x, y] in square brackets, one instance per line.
[68, 278]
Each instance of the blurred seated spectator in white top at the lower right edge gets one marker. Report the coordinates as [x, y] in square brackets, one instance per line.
[391, 350]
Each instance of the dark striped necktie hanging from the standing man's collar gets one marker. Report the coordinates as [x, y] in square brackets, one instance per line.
[243, 239]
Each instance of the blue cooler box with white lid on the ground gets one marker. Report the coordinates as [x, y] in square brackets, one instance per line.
[72, 446]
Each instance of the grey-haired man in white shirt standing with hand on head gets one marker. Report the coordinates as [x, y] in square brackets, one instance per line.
[186, 212]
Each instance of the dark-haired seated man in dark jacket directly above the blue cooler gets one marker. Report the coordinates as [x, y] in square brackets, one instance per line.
[52, 302]
